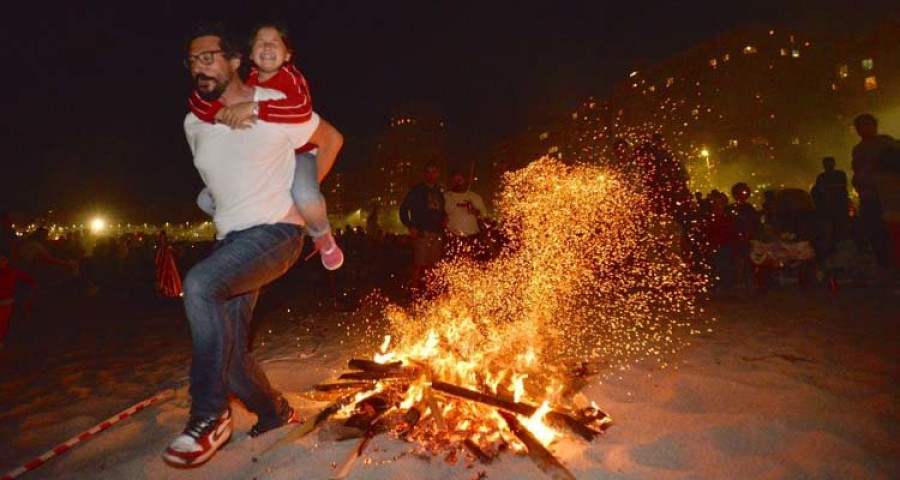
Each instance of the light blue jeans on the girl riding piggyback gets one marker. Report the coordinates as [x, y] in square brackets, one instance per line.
[304, 190]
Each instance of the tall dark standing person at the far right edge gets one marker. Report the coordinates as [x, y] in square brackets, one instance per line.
[866, 155]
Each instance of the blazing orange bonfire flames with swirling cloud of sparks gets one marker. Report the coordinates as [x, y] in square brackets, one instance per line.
[587, 275]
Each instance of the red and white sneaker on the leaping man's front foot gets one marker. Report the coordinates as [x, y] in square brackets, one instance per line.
[200, 440]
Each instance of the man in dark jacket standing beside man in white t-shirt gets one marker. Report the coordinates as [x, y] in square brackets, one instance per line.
[422, 212]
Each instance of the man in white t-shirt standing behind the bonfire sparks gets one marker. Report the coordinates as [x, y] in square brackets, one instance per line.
[464, 208]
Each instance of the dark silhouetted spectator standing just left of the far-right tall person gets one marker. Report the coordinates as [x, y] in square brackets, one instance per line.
[831, 199]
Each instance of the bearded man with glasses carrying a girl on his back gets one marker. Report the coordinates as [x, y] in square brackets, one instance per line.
[249, 173]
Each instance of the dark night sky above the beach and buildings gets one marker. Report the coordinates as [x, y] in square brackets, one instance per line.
[98, 90]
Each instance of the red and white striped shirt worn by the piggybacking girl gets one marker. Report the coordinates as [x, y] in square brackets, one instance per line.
[296, 107]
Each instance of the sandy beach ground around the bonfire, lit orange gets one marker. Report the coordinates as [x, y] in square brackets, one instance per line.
[788, 384]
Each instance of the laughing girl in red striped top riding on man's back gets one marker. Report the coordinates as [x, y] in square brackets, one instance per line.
[271, 52]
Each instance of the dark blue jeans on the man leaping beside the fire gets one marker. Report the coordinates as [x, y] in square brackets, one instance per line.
[220, 293]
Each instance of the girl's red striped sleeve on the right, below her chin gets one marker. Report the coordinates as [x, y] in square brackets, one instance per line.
[296, 107]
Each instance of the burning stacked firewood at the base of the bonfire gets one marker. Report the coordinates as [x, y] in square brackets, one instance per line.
[375, 393]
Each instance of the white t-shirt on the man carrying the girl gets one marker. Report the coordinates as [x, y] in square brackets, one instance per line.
[249, 172]
